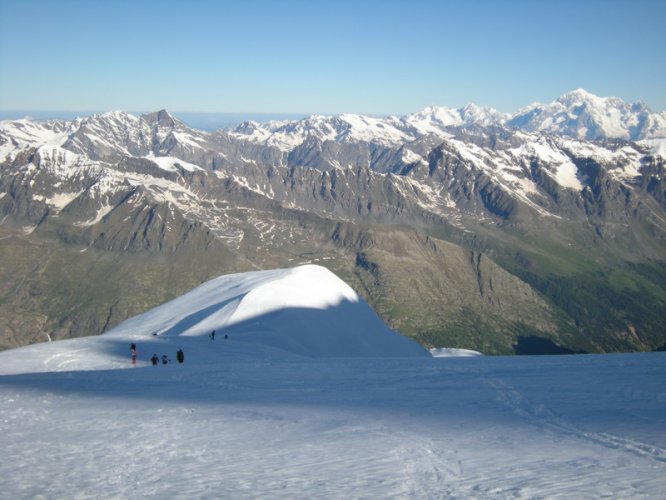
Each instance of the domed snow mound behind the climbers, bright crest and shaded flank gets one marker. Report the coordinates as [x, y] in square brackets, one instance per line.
[305, 310]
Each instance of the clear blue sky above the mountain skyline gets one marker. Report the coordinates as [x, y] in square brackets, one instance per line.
[308, 56]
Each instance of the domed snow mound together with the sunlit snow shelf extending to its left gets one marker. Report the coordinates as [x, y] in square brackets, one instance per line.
[303, 311]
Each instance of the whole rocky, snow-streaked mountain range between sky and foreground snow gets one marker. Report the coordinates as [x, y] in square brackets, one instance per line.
[580, 172]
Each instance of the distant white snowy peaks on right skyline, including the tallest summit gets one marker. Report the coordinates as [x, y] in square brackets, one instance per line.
[577, 114]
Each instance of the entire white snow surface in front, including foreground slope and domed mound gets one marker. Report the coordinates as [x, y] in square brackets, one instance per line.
[243, 417]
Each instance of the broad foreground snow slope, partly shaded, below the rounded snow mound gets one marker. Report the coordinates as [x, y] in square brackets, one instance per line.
[301, 428]
